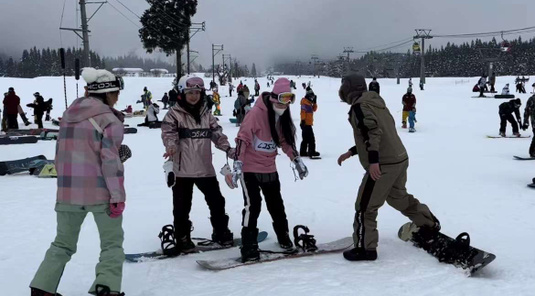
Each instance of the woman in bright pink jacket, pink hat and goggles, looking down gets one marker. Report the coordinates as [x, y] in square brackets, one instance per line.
[268, 126]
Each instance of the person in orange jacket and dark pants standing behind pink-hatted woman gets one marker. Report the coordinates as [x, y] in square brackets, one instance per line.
[308, 107]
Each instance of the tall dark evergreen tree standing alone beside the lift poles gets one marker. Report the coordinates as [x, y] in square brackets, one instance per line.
[165, 25]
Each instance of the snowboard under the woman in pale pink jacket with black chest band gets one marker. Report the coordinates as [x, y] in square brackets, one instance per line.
[202, 245]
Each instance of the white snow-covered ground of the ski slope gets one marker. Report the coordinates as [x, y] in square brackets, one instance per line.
[470, 182]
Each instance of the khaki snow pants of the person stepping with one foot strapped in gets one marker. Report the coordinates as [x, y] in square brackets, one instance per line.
[373, 194]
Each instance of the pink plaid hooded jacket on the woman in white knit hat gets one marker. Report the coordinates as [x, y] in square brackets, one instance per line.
[89, 169]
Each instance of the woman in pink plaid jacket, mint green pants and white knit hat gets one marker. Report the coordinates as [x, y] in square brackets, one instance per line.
[88, 161]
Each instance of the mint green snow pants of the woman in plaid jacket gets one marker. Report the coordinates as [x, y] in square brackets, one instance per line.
[110, 267]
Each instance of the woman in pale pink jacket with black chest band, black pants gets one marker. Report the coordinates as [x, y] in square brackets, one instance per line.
[188, 130]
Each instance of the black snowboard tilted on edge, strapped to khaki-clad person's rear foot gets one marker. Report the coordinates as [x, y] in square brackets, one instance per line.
[455, 251]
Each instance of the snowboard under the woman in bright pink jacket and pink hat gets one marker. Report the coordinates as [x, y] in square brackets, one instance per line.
[268, 256]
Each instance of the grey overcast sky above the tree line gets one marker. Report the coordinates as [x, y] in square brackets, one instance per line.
[262, 31]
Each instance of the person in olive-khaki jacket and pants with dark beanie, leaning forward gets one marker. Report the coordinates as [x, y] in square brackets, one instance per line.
[383, 156]
